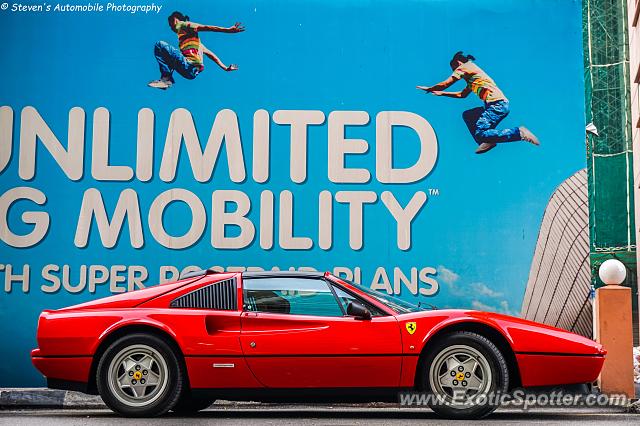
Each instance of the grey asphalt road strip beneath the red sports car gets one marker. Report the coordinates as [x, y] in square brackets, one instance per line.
[324, 415]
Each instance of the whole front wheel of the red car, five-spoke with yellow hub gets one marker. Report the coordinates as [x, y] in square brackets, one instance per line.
[465, 373]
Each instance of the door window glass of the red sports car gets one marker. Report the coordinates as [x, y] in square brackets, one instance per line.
[296, 296]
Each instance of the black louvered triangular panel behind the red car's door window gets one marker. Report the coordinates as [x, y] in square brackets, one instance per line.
[222, 295]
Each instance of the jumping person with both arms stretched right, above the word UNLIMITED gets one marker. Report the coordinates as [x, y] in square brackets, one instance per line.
[188, 61]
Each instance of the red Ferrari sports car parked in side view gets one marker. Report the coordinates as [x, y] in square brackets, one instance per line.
[293, 336]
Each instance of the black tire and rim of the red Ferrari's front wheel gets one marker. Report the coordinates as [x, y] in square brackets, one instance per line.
[485, 401]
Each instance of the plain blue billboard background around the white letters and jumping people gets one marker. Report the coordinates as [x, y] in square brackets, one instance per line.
[478, 228]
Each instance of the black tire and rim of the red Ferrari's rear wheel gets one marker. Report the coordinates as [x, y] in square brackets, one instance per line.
[161, 397]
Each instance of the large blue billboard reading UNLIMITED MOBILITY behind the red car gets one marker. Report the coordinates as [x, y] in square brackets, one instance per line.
[410, 146]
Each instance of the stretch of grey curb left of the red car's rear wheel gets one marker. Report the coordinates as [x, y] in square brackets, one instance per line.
[33, 398]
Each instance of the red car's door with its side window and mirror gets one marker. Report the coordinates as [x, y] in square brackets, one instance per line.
[295, 334]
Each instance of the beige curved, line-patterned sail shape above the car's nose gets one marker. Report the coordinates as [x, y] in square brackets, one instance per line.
[559, 286]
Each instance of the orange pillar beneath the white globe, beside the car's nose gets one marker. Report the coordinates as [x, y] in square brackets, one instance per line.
[613, 330]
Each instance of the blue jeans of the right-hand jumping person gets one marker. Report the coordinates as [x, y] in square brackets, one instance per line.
[482, 123]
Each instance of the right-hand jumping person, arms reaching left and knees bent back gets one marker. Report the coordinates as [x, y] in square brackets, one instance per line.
[481, 121]
